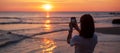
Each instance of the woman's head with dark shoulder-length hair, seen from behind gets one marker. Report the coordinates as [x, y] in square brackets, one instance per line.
[87, 26]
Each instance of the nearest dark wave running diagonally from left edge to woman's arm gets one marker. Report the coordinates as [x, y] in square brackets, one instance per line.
[15, 38]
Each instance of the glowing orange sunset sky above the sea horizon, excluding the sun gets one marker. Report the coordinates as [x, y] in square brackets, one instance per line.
[60, 5]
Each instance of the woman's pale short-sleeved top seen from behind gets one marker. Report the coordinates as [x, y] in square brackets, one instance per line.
[83, 45]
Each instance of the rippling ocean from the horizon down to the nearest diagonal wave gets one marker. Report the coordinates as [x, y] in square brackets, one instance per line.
[56, 20]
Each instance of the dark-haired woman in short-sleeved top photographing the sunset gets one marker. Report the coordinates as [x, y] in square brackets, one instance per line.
[86, 41]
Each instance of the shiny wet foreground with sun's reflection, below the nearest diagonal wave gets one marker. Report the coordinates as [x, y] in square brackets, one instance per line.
[56, 43]
